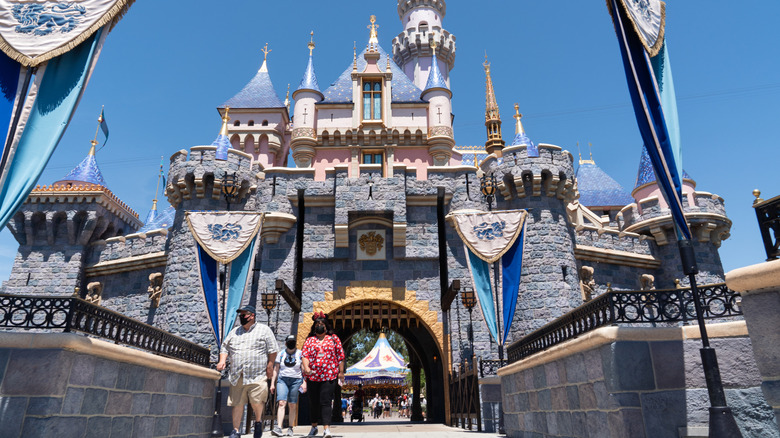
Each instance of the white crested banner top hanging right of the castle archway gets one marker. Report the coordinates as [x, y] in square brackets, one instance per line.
[489, 234]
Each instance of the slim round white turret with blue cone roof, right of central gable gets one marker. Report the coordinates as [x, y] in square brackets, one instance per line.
[440, 135]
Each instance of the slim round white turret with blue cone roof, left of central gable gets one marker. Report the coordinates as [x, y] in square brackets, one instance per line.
[308, 94]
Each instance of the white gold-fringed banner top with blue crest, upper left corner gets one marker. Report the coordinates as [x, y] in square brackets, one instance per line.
[33, 31]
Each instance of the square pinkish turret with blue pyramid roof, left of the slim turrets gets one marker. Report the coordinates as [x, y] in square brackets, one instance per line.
[260, 120]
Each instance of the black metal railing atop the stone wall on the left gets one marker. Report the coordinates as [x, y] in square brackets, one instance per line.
[75, 314]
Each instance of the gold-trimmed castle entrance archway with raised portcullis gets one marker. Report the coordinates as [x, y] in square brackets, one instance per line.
[377, 305]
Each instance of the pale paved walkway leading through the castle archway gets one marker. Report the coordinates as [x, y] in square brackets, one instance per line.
[392, 428]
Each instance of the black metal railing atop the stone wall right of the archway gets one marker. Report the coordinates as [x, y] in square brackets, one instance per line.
[629, 307]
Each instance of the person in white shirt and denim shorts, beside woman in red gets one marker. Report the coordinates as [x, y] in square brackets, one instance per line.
[287, 382]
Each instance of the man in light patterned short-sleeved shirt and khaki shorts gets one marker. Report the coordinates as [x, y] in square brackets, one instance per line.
[252, 350]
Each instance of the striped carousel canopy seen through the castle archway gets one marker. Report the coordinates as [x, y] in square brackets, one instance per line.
[382, 367]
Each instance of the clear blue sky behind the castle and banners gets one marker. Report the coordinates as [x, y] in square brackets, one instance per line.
[167, 66]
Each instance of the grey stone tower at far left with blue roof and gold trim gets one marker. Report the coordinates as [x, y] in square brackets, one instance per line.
[57, 226]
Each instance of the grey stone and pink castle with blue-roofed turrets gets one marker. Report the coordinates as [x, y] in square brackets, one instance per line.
[363, 226]
